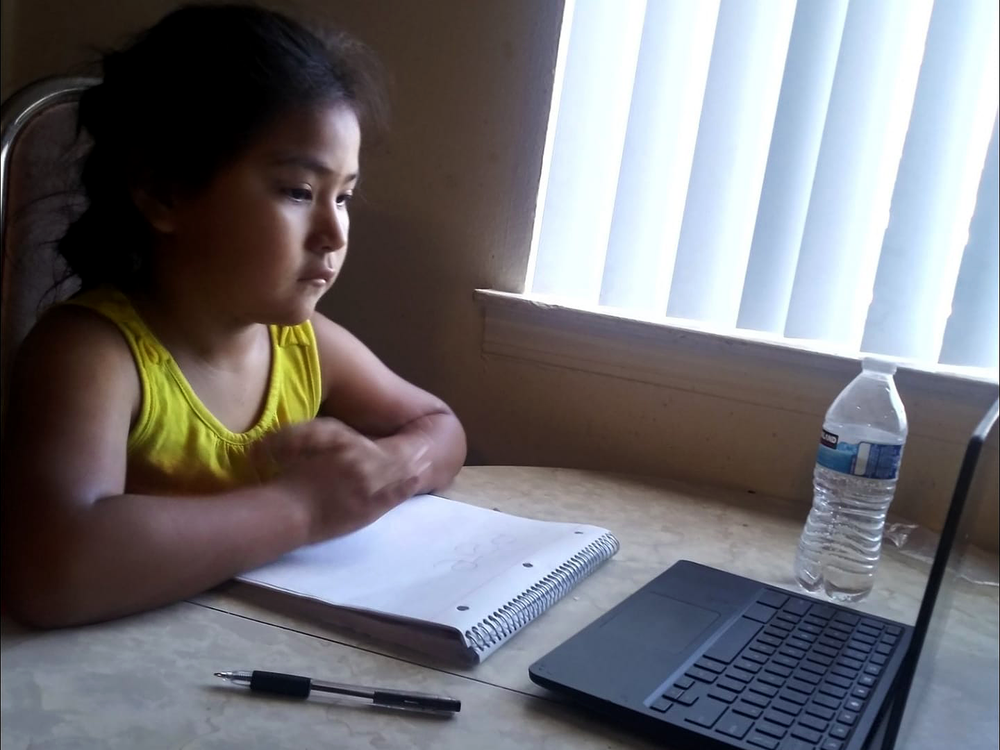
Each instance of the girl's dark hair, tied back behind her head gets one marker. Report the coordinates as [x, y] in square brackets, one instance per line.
[183, 100]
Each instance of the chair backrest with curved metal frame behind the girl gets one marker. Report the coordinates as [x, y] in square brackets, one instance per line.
[41, 153]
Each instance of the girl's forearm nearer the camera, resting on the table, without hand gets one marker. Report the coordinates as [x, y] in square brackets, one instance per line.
[129, 553]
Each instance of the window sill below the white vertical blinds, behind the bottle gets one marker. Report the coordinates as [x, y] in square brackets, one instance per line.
[942, 403]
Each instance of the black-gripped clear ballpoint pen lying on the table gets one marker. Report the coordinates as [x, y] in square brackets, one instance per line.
[300, 687]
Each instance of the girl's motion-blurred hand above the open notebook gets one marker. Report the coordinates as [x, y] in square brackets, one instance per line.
[345, 480]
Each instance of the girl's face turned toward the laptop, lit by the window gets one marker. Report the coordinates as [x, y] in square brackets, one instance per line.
[267, 237]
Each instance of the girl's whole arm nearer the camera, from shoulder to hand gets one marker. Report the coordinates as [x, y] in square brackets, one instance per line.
[77, 547]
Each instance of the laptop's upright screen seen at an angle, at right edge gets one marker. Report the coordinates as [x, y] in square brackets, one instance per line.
[954, 694]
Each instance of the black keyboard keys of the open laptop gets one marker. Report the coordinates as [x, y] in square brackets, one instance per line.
[790, 674]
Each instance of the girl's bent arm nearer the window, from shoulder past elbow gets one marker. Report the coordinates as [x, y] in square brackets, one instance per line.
[403, 420]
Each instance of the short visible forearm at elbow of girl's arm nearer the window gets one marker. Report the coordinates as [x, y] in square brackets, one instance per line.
[444, 439]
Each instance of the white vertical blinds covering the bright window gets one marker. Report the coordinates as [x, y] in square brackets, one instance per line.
[824, 170]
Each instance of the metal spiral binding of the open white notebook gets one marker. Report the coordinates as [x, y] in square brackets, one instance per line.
[530, 603]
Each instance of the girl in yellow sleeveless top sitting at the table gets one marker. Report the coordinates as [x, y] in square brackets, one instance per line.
[163, 429]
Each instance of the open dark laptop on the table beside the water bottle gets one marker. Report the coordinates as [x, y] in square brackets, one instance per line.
[701, 658]
